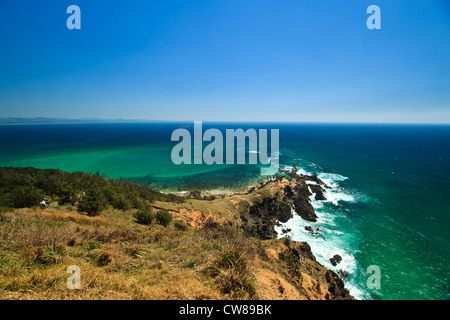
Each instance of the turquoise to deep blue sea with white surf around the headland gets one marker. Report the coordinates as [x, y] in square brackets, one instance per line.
[388, 205]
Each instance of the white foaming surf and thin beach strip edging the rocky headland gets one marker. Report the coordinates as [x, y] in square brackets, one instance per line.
[330, 255]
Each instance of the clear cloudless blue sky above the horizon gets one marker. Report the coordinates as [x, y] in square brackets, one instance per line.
[237, 60]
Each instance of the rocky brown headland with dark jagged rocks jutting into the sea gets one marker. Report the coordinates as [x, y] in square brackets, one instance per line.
[257, 211]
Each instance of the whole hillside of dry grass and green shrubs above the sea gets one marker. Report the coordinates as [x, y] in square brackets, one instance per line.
[160, 249]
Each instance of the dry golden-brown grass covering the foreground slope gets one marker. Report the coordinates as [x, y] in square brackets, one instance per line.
[118, 258]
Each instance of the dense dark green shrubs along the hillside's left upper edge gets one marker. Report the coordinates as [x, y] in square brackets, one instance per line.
[25, 187]
